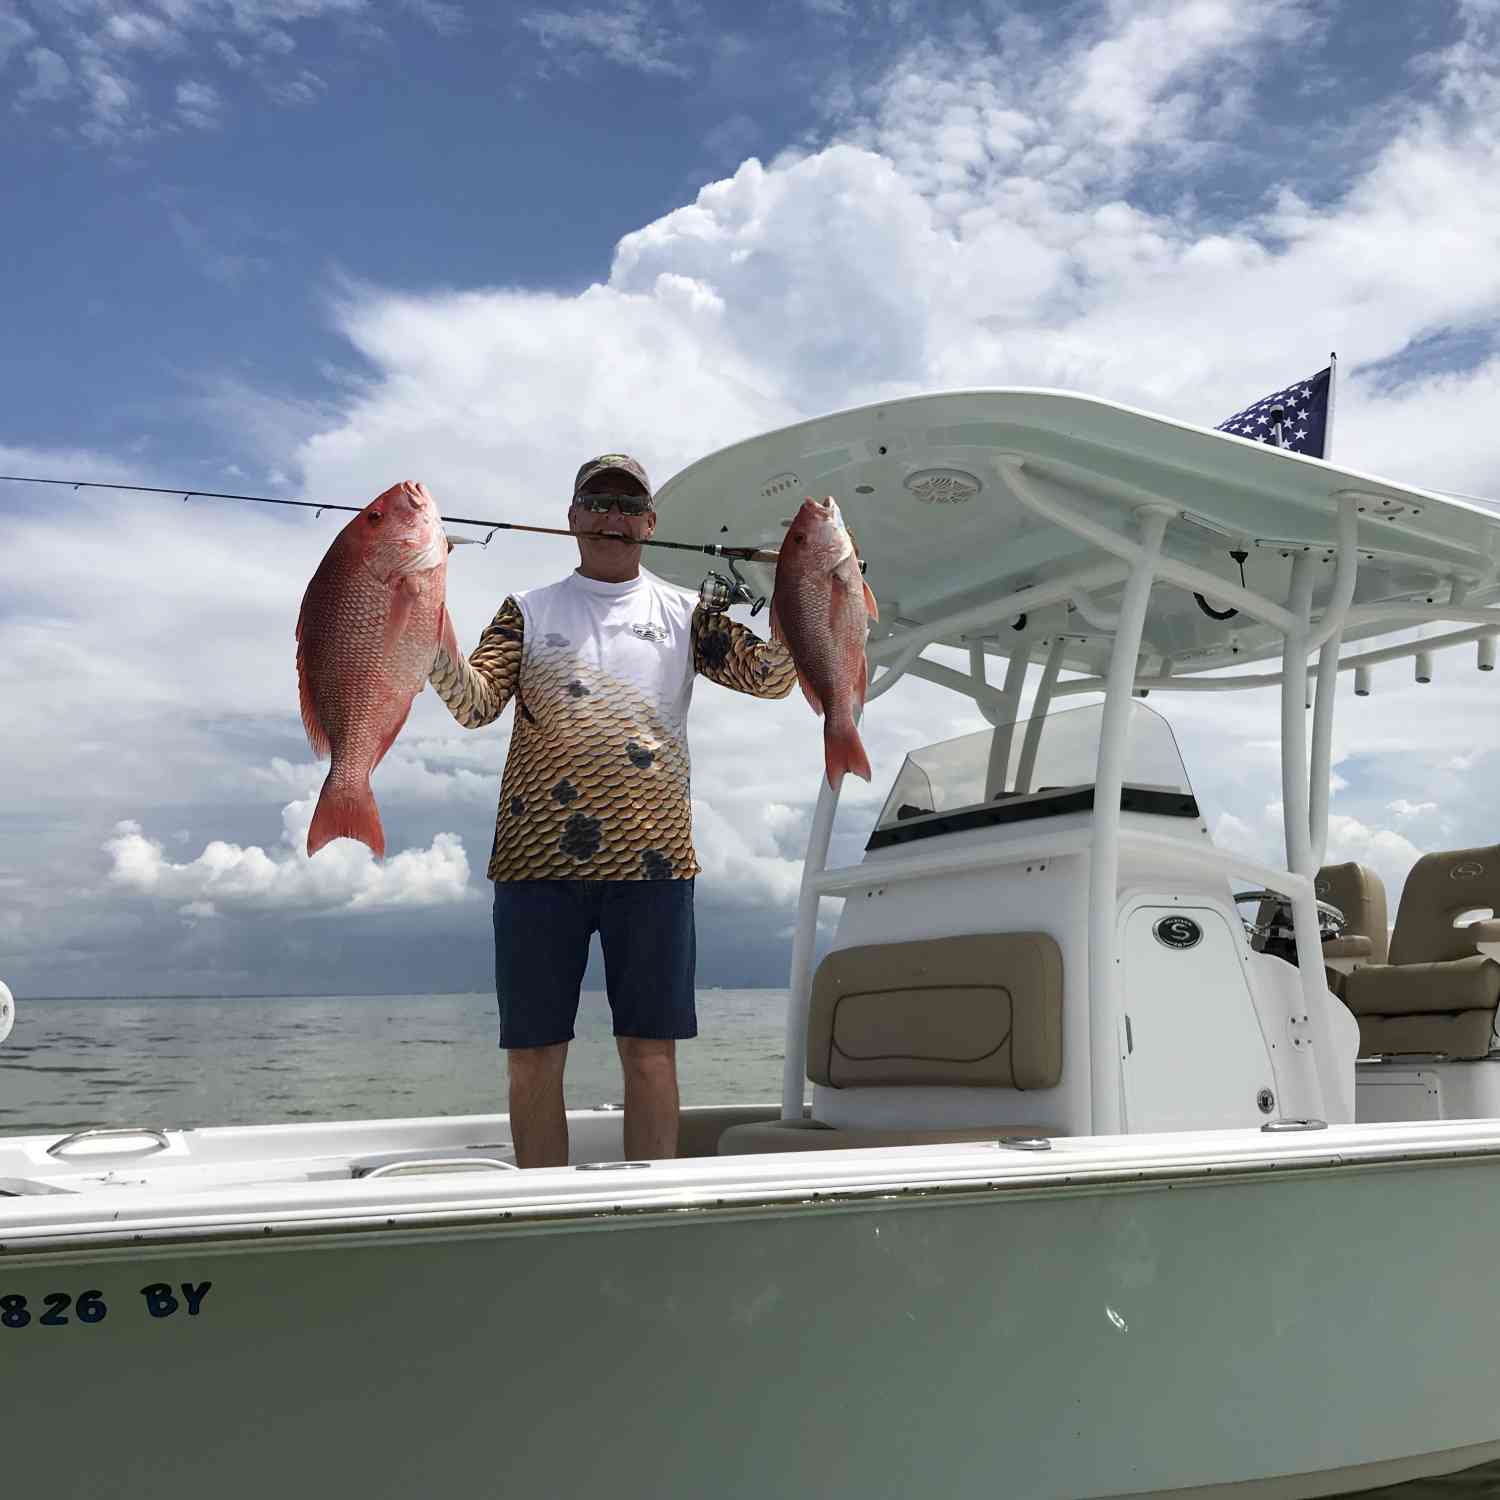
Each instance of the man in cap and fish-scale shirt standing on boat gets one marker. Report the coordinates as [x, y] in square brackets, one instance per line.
[595, 830]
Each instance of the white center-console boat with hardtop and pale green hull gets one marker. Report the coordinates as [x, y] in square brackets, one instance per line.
[1103, 1201]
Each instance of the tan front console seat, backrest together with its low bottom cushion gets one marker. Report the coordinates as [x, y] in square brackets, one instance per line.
[976, 1012]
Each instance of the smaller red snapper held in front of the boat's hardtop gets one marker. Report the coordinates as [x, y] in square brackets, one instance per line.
[821, 608]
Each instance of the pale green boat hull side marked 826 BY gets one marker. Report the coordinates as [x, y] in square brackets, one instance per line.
[1301, 1331]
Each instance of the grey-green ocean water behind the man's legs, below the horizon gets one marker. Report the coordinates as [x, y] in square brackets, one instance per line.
[266, 1060]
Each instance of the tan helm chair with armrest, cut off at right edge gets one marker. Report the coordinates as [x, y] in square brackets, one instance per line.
[1439, 991]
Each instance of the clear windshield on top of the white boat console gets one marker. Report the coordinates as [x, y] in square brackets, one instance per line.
[1039, 769]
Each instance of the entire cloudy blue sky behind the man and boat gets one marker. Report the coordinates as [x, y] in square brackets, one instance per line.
[314, 247]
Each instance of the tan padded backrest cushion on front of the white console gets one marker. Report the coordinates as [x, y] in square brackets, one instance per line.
[982, 1012]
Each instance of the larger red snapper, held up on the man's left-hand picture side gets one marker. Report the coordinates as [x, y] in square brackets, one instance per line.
[370, 631]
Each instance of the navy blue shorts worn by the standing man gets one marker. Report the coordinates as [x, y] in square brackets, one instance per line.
[542, 935]
